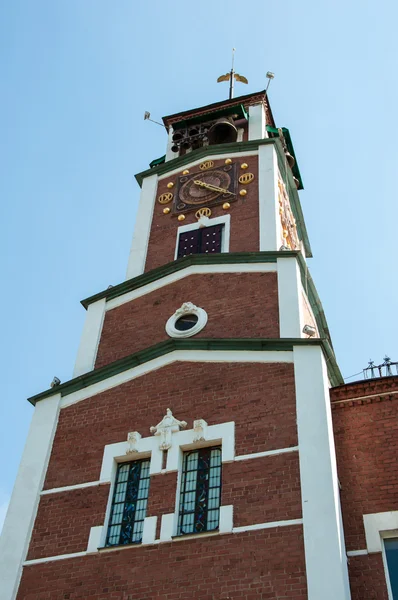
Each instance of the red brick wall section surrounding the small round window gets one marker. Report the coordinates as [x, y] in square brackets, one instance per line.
[250, 311]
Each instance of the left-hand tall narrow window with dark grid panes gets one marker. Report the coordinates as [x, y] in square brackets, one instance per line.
[129, 503]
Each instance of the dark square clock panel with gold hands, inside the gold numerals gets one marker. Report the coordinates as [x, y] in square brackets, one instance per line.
[205, 188]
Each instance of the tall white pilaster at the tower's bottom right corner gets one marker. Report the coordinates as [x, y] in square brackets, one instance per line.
[325, 554]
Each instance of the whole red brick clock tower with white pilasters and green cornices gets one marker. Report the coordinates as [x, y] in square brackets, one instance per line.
[192, 453]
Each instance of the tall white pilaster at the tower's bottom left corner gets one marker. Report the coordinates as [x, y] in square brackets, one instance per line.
[25, 496]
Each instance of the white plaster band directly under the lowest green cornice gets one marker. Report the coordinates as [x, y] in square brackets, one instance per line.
[231, 356]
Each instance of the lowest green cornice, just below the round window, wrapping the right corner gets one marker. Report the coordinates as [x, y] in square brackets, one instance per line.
[162, 348]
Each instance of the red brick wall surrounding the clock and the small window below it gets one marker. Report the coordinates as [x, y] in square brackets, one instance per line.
[244, 219]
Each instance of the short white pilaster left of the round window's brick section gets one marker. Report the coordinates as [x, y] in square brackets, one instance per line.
[89, 341]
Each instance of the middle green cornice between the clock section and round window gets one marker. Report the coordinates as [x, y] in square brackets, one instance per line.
[227, 258]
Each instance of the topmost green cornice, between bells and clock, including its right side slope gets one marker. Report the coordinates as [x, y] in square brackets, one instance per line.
[181, 161]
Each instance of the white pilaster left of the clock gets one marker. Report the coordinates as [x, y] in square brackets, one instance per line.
[142, 229]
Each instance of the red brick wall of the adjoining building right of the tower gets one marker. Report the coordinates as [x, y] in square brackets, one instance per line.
[366, 437]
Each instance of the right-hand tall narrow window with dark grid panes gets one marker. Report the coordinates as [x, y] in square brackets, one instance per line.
[200, 491]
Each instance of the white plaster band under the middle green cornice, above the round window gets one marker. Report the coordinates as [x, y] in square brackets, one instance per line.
[187, 272]
